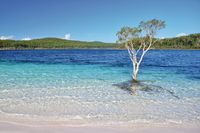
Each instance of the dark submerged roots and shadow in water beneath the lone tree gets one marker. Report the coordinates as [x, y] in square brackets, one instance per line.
[133, 86]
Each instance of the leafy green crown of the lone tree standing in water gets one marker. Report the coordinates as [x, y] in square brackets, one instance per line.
[141, 36]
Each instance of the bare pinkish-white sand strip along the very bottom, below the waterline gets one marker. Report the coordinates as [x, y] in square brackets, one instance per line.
[9, 127]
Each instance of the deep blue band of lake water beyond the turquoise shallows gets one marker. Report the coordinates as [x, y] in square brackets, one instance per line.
[180, 61]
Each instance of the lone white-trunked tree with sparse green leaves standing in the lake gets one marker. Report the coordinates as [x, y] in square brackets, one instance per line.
[138, 39]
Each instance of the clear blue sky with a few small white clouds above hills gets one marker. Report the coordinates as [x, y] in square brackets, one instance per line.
[94, 20]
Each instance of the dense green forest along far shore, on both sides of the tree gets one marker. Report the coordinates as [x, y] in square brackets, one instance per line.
[184, 42]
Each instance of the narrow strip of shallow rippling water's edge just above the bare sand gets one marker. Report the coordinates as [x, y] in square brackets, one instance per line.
[77, 122]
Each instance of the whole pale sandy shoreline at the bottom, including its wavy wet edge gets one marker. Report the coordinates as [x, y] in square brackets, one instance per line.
[21, 124]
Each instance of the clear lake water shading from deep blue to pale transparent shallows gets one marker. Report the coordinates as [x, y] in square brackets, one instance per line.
[80, 86]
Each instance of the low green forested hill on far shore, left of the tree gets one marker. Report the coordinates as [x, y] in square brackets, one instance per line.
[52, 43]
